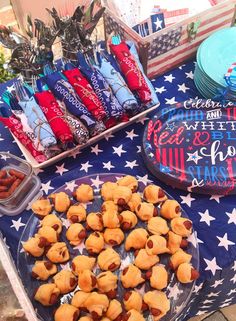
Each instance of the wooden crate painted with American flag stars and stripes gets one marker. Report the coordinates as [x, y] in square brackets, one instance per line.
[169, 47]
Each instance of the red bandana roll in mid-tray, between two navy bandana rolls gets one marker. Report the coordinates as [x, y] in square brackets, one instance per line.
[85, 93]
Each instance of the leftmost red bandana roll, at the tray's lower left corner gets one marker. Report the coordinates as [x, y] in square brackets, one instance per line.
[15, 126]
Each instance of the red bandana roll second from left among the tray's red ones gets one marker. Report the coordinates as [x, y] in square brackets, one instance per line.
[54, 115]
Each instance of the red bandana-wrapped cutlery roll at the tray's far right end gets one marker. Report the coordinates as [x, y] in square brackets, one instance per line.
[130, 69]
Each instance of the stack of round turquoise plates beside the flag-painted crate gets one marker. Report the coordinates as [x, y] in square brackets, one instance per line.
[214, 58]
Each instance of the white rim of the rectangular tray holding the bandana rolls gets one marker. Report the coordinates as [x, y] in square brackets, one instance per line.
[75, 150]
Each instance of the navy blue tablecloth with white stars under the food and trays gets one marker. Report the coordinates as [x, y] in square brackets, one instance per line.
[214, 217]
